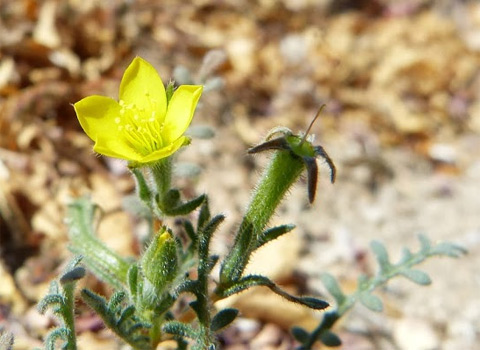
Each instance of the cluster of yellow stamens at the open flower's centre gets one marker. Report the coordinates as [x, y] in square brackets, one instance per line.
[140, 128]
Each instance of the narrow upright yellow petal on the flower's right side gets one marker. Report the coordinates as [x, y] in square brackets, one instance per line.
[180, 111]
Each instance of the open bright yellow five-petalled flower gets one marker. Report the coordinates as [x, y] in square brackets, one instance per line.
[141, 127]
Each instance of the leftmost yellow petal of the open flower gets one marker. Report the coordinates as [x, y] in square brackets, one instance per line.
[96, 115]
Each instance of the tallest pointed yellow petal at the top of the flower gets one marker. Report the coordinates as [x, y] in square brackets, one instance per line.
[142, 86]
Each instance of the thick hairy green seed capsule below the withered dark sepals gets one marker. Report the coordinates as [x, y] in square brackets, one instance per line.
[280, 175]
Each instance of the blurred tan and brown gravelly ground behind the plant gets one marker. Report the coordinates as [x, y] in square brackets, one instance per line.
[400, 80]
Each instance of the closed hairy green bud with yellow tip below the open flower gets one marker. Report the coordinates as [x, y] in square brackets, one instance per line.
[160, 263]
